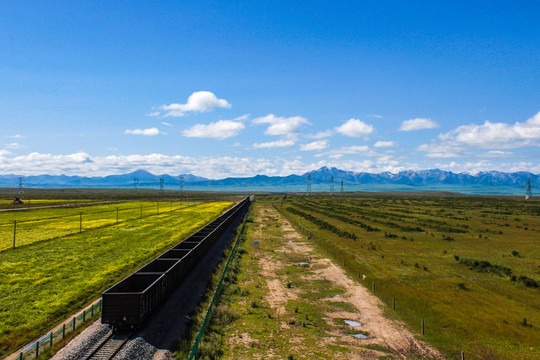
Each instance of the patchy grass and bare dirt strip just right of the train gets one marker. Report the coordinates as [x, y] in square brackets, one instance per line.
[283, 299]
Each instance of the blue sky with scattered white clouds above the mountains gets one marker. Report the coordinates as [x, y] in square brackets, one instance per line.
[223, 89]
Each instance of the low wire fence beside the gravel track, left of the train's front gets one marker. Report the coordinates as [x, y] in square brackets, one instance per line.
[45, 343]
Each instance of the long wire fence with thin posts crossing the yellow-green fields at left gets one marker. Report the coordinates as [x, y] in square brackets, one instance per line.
[23, 232]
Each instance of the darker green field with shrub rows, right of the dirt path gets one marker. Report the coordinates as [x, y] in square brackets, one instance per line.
[469, 266]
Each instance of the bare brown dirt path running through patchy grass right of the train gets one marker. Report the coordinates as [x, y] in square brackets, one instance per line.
[385, 337]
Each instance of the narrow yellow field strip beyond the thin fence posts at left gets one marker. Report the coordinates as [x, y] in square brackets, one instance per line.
[44, 224]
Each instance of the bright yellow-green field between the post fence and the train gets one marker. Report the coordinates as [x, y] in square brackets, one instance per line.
[46, 281]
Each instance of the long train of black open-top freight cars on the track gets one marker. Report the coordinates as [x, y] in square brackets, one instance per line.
[133, 299]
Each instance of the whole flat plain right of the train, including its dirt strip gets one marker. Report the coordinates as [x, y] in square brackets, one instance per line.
[466, 267]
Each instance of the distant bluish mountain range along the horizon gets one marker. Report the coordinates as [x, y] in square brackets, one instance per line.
[323, 175]
